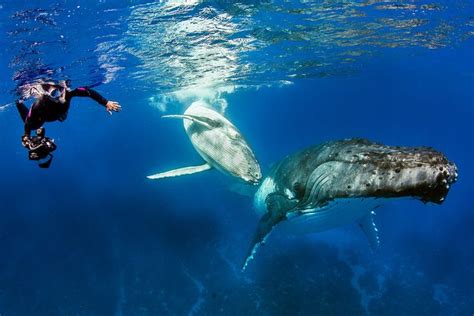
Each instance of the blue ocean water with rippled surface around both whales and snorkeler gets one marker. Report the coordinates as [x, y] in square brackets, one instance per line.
[92, 236]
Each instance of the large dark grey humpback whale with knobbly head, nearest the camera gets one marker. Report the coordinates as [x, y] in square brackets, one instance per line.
[340, 182]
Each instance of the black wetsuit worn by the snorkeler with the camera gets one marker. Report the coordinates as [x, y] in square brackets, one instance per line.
[46, 109]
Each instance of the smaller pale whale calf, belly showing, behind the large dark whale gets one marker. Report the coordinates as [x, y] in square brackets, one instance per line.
[219, 143]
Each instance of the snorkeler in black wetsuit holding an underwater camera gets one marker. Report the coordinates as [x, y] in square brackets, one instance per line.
[52, 104]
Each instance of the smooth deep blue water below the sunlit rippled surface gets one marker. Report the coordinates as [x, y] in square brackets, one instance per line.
[93, 236]
